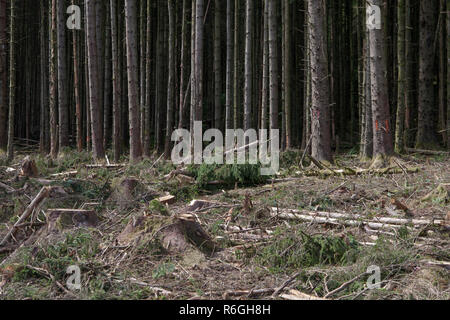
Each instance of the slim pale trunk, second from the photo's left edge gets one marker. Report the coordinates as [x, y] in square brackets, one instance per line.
[12, 80]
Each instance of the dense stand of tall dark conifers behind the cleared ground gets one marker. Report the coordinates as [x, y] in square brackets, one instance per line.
[137, 70]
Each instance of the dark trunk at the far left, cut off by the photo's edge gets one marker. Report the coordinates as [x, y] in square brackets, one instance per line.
[3, 76]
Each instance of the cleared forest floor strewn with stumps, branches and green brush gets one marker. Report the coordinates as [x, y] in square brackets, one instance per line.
[254, 251]
